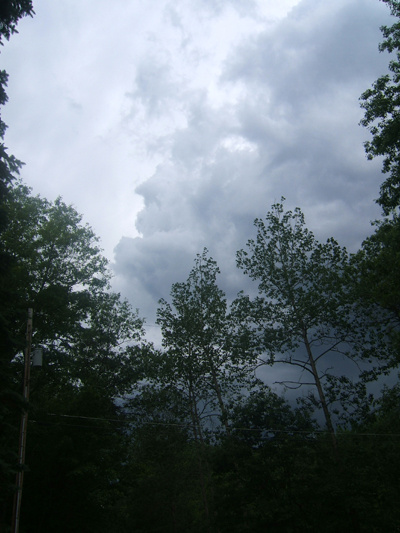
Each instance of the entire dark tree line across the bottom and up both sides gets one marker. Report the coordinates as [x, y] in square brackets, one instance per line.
[123, 436]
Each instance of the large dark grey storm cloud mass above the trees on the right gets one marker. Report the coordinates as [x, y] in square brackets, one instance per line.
[291, 130]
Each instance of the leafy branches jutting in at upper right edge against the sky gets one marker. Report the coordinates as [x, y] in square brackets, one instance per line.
[382, 116]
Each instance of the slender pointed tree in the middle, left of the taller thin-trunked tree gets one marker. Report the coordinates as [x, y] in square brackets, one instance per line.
[197, 336]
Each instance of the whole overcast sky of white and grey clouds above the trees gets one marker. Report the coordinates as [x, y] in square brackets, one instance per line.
[171, 125]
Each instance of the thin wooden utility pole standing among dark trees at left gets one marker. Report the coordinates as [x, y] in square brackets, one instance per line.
[23, 429]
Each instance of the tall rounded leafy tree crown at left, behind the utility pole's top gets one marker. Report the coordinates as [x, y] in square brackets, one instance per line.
[58, 264]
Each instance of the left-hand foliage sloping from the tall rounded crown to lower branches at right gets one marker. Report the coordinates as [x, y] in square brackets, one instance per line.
[62, 275]
